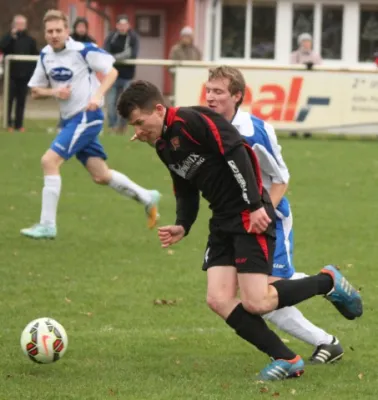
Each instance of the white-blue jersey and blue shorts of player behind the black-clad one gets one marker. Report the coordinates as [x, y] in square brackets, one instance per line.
[263, 140]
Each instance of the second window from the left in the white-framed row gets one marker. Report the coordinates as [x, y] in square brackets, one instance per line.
[263, 29]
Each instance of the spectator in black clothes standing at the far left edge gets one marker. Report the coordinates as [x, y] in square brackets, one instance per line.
[18, 41]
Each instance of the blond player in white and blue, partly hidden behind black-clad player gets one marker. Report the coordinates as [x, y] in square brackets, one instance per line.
[224, 94]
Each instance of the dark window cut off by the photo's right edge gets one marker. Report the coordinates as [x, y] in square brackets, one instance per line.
[368, 32]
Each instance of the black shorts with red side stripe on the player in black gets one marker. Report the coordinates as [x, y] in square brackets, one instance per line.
[229, 243]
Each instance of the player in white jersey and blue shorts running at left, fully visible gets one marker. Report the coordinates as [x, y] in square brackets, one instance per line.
[67, 70]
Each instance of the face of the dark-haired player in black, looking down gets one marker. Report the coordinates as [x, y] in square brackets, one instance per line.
[148, 125]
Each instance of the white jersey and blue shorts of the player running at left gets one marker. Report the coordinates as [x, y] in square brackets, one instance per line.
[75, 66]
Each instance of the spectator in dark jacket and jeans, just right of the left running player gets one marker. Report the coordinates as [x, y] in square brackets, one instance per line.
[123, 44]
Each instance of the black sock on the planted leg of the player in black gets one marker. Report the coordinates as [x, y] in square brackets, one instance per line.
[254, 330]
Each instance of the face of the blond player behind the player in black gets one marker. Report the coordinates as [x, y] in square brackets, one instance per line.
[220, 99]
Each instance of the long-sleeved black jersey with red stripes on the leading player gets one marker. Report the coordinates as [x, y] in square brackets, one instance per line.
[205, 153]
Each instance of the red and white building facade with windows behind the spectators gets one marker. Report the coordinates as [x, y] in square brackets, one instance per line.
[345, 32]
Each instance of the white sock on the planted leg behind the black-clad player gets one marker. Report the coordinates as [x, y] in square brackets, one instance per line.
[293, 322]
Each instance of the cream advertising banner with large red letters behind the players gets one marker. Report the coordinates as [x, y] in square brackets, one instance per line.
[303, 101]
